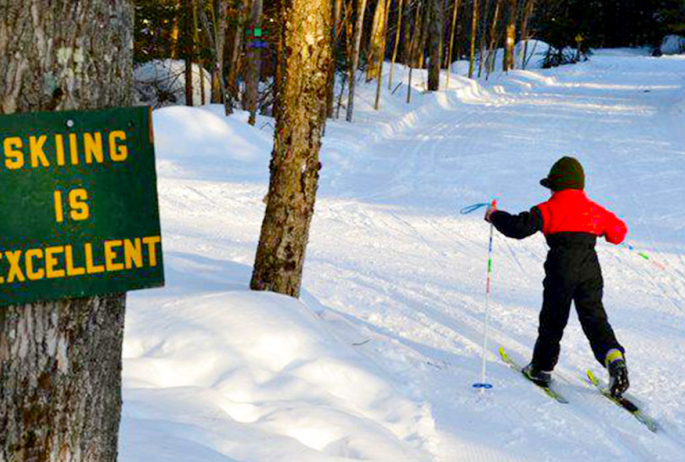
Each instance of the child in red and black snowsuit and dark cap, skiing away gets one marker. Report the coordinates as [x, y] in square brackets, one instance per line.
[571, 223]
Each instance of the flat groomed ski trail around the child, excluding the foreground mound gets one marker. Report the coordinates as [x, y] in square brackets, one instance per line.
[398, 274]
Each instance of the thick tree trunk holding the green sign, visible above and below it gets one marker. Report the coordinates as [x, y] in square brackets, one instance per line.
[60, 362]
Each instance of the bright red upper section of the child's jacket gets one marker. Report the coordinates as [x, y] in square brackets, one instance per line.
[570, 210]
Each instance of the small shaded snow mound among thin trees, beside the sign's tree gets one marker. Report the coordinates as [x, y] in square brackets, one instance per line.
[162, 82]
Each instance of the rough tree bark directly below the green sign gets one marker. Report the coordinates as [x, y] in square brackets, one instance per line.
[60, 380]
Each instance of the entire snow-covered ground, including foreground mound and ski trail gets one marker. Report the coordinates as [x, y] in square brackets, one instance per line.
[377, 360]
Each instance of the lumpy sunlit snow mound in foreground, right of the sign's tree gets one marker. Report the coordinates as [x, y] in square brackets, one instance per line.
[256, 376]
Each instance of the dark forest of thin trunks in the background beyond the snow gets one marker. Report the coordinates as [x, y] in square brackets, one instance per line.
[238, 41]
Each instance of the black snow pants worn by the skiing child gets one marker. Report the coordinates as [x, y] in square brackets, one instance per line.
[572, 274]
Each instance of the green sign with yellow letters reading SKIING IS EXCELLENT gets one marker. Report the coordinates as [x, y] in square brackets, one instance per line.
[78, 205]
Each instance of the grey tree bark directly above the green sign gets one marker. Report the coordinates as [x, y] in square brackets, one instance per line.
[62, 54]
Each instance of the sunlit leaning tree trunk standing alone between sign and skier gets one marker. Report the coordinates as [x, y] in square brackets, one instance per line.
[295, 165]
